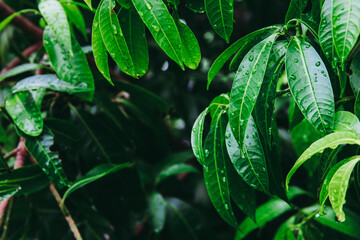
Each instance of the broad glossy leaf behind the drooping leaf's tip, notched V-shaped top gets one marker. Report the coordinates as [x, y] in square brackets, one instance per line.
[252, 166]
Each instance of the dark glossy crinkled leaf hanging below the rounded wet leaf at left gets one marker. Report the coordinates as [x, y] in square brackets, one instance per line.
[39, 148]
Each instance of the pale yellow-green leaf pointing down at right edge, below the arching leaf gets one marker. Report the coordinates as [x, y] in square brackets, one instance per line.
[338, 186]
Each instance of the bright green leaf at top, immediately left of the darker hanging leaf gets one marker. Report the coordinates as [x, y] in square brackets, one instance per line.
[114, 39]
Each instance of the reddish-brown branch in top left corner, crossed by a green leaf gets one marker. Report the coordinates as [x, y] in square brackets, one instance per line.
[21, 22]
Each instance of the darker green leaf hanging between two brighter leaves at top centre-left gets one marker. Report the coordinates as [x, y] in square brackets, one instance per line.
[134, 31]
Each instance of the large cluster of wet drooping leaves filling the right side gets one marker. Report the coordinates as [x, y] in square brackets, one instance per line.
[312, 59]
